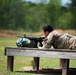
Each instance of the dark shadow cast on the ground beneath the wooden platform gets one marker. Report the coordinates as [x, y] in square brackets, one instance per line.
[48, 71]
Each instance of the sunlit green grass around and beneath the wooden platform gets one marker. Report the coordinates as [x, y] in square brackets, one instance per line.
[22, 62]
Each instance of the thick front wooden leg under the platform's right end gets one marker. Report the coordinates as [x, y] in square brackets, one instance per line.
[65, 66]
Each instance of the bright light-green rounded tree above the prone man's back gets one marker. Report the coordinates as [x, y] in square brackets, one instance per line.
[64, 21]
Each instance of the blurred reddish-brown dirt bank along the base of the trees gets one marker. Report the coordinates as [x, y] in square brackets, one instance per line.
[7, 33]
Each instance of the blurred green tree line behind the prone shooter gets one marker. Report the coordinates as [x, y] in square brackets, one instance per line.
[22, 15]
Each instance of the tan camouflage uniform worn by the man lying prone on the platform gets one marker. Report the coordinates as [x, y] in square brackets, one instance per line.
[59, 41]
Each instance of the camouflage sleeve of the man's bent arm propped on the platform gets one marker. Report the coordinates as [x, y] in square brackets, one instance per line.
[47, 43]
